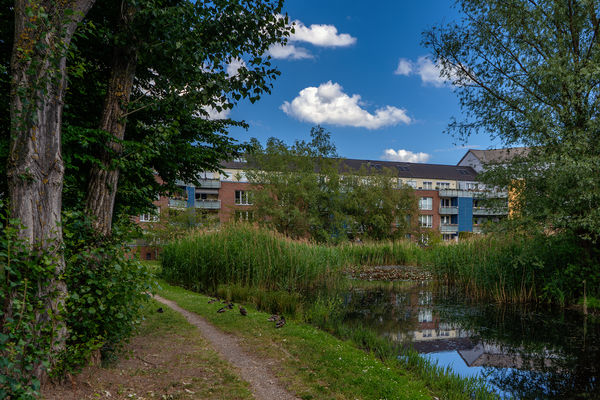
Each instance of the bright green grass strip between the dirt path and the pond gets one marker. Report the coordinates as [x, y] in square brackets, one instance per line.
[316, 365]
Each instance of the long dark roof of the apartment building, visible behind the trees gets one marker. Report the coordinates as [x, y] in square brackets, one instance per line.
[404, 169]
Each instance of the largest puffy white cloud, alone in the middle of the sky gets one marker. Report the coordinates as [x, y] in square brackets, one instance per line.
[329, 104]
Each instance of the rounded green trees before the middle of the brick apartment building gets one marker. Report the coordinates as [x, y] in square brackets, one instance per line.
[303, 191]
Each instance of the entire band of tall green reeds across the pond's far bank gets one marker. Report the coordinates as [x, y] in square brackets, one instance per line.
[503, 268]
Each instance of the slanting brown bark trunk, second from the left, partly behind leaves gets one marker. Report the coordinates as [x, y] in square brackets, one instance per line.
[102, 187]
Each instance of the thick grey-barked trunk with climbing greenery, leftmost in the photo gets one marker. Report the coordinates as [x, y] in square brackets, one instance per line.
[43, 32]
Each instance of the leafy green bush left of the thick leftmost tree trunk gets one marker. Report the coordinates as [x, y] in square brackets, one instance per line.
[24, 343]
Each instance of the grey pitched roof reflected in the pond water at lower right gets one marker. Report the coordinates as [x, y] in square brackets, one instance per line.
[492, 355]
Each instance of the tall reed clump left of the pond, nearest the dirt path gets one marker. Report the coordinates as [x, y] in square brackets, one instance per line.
[251, 257]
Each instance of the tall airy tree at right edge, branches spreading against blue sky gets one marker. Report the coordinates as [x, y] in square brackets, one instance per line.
[527, 72]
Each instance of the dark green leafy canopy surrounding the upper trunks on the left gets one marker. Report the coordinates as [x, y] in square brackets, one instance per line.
[195, 60]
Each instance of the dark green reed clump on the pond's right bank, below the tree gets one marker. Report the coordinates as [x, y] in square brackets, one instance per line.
[511, 269]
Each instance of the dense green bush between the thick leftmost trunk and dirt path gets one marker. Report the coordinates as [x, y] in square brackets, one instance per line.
[106, 289]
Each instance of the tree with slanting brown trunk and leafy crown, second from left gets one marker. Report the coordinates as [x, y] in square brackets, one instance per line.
[182, 59]
